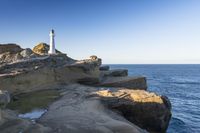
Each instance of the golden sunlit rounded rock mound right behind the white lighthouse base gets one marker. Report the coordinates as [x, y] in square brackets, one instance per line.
[42, 49]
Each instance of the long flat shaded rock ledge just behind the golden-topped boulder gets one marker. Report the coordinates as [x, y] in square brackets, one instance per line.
[127, 82]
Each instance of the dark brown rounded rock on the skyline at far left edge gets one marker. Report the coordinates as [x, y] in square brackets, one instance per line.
[11, 48]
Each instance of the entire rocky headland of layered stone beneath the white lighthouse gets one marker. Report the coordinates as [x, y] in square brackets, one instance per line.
[92, 98]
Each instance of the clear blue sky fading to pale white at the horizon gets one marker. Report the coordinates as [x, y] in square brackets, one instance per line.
[118, 31]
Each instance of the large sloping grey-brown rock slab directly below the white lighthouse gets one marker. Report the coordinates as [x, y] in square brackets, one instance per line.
[45, 72]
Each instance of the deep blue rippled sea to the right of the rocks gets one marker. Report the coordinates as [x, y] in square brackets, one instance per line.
[181, 84]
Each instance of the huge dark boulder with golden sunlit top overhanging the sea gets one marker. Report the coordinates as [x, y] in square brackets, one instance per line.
[147, 110]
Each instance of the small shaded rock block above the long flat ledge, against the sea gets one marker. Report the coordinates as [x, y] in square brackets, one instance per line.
[115, 73]
